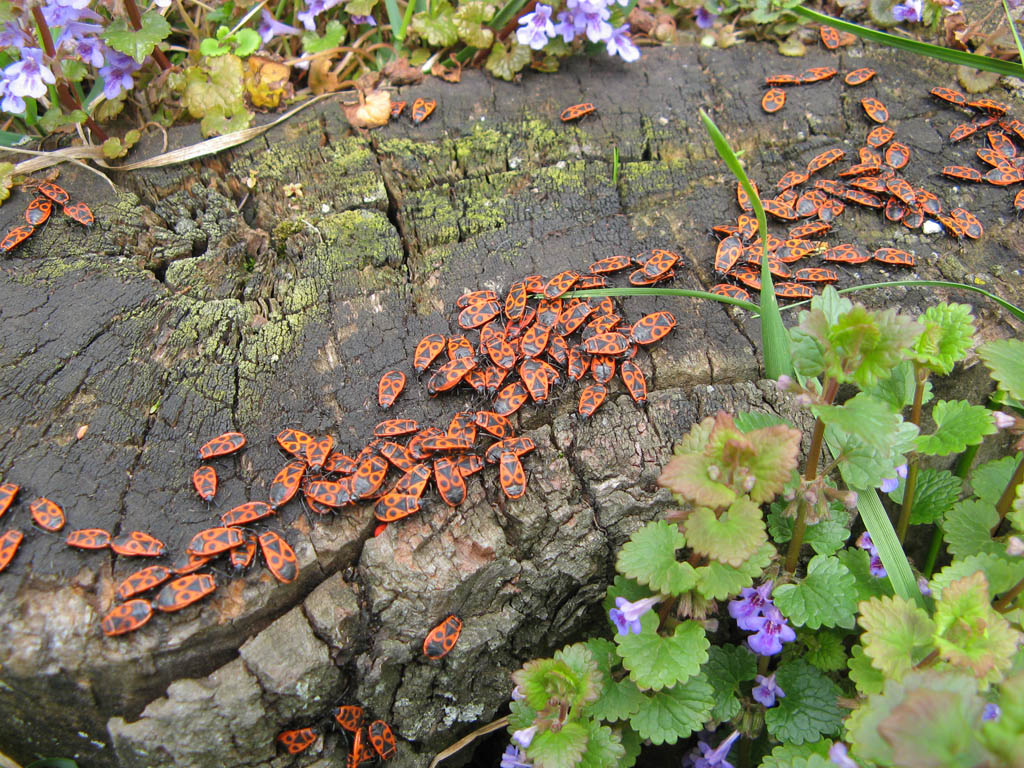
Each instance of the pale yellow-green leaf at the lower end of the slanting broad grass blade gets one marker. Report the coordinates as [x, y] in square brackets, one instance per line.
[898, 634]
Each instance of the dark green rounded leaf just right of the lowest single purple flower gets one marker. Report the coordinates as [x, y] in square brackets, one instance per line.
[810, 709]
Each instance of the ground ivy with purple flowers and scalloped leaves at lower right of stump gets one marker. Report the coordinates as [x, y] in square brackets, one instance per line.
[760, 625]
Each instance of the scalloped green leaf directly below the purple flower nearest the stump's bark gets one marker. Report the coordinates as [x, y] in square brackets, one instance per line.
[657, 662]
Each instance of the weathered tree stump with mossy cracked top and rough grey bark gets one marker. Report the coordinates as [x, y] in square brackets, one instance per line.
[205, 300]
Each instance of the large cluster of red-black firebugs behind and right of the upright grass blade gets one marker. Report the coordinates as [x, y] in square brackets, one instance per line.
[873, 182]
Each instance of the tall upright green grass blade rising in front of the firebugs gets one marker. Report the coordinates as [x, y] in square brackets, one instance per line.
[775, 337]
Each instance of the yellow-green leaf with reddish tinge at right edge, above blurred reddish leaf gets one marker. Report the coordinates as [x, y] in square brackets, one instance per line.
[970, 634]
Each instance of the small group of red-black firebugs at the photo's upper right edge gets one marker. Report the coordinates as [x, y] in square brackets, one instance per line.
[1004, 158]
